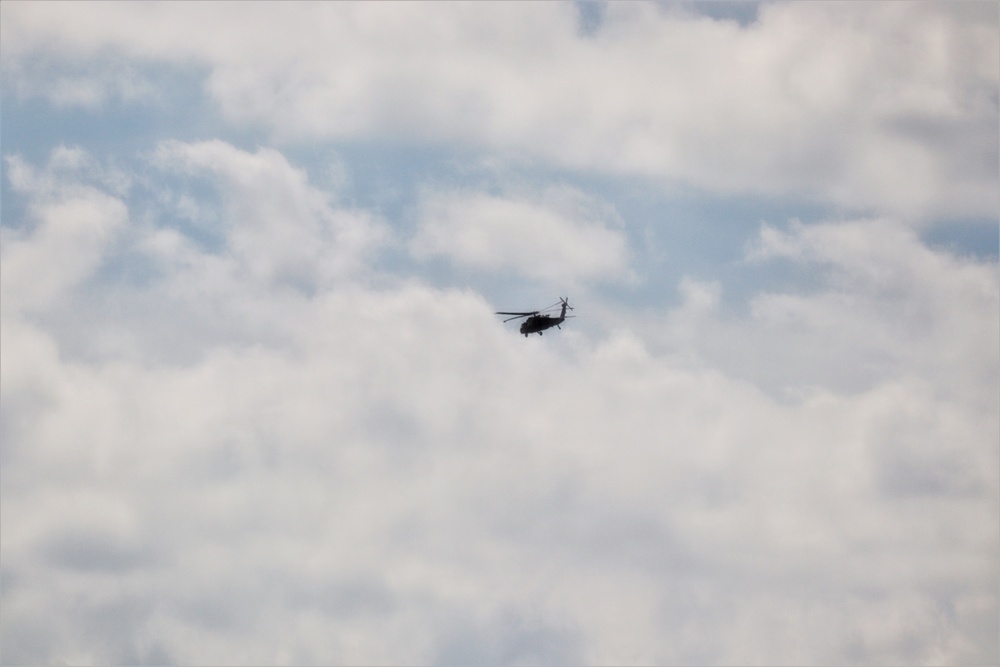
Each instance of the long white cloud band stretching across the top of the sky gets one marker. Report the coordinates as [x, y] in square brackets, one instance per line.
[883, 106]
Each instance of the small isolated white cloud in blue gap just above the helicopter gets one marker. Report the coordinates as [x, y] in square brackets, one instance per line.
[559, 235]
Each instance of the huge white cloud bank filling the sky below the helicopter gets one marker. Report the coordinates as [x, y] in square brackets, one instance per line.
[361, 475]
